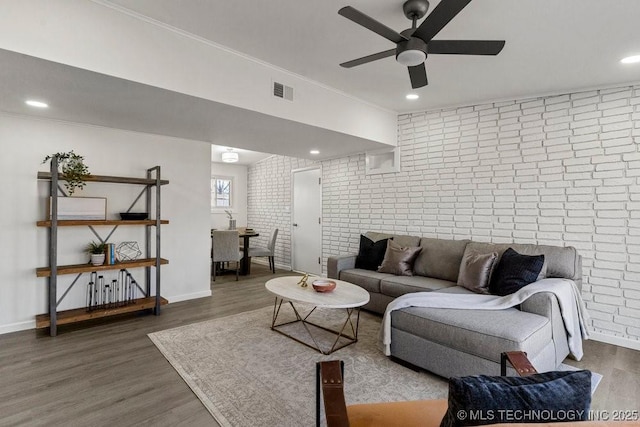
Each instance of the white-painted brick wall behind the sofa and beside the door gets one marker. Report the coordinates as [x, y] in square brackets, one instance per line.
[561, 170]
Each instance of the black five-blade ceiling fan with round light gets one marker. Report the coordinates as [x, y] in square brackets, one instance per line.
[414, 44]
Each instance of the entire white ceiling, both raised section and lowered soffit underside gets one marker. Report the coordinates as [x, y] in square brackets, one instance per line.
[551, 47]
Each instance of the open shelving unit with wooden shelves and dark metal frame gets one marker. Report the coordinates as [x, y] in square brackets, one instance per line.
[152, 300]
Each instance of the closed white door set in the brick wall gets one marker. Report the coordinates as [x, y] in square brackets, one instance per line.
[306, 230]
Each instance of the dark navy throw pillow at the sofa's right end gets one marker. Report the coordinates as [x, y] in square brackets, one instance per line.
[515, 271]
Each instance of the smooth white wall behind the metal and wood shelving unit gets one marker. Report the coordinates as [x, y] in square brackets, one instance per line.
[185, 203]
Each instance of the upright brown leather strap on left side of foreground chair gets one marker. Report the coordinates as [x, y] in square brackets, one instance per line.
[333, 393]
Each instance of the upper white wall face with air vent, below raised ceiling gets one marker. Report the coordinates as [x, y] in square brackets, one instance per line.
[126, 46]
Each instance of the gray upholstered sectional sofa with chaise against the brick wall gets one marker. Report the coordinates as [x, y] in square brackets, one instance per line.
[452, 342]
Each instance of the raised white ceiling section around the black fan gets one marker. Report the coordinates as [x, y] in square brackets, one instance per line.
[551, 46]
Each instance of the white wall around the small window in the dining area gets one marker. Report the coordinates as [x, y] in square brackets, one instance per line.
[219, 218]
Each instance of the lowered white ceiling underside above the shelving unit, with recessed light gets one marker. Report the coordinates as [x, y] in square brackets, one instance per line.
[84, 96]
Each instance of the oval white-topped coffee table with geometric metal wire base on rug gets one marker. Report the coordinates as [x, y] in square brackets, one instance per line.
[345, 296]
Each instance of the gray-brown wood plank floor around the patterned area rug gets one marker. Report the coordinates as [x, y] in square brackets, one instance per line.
[108, 373]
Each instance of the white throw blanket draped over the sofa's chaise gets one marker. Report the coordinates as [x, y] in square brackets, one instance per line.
[574, 313]
